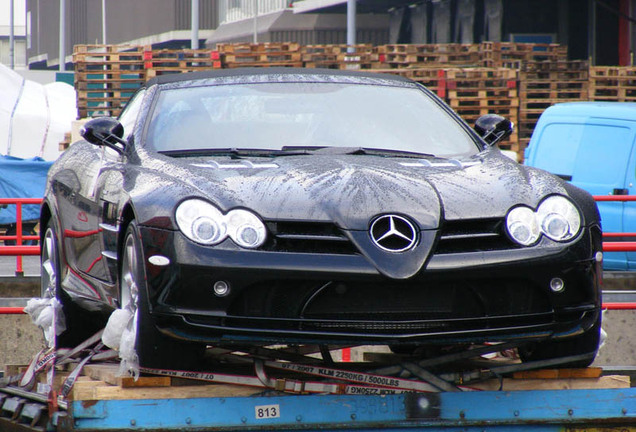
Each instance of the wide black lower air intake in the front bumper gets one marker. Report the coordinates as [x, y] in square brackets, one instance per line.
[391, 308]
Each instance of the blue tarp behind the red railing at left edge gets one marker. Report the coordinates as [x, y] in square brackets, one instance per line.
[22, 178]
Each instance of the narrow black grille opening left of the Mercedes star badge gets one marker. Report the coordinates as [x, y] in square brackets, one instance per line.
[307, 237]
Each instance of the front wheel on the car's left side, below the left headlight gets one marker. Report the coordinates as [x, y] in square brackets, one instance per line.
[154, 349]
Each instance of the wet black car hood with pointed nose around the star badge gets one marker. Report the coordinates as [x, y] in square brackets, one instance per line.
[351, 191]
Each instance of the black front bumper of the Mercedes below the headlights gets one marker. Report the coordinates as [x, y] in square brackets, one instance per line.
[279, 297]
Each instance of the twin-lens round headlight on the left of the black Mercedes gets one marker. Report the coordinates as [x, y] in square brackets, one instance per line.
[203, 223]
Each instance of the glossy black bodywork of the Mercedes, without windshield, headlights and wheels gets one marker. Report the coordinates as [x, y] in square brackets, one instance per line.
[95, 191]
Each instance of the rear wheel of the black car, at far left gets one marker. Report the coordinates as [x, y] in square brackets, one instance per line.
[79, 325]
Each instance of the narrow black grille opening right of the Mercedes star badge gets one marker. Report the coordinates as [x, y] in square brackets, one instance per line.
[473, 235]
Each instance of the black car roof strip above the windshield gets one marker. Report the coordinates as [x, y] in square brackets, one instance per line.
[273, 71]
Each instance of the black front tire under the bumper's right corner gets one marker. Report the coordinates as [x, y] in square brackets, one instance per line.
[586, 343]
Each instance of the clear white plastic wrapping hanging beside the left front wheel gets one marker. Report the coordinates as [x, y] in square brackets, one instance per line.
[120, 334]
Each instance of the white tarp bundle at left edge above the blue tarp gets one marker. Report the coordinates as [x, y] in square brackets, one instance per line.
[34, 117]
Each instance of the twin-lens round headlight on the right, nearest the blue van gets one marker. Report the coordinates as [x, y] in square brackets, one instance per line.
[556, 218]
